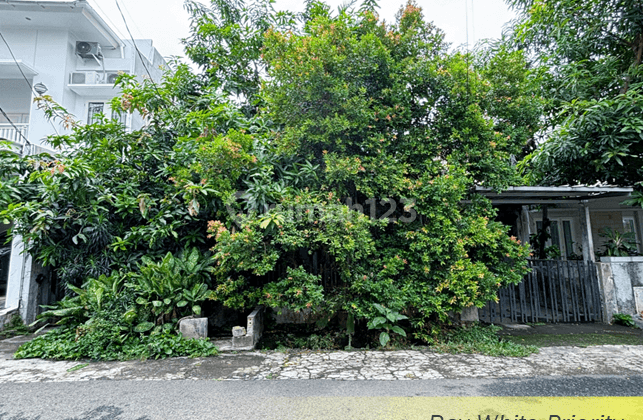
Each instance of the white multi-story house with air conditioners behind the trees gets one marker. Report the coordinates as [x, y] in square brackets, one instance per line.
[66, 50]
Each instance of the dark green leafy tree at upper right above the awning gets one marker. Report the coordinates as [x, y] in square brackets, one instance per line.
[592, 51]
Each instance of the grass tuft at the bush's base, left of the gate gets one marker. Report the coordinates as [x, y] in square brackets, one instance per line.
[482, 340]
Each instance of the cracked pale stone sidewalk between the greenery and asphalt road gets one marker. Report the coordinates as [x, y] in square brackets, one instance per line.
[350, 365]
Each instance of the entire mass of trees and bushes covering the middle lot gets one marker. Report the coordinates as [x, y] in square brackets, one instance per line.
[315, 147]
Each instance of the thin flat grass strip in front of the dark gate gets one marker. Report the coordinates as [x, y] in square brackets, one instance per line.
[578, 340]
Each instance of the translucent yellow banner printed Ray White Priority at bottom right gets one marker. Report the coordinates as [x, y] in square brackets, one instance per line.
[462, 408]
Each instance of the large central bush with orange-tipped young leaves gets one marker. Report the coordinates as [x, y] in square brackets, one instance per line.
[385, 112]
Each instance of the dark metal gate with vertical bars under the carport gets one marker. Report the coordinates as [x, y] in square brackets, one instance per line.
[554, 291]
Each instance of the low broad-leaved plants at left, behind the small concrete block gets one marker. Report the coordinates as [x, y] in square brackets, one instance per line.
[154, 298]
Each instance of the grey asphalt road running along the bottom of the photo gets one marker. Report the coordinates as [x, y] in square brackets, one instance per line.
[309, 399]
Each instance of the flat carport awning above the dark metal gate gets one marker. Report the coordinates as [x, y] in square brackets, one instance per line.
[552, 195]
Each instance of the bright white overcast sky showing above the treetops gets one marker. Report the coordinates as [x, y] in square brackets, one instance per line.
[166, 21]
